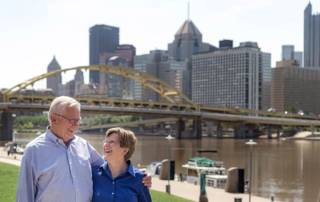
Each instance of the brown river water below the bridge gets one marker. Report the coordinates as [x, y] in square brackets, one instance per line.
[286, 169]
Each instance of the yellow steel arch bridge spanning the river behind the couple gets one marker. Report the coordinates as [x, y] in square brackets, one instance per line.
[174, 104]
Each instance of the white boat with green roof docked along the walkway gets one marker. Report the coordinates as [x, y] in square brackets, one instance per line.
[215, 171]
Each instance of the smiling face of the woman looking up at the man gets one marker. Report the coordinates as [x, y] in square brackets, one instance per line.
[112, 150]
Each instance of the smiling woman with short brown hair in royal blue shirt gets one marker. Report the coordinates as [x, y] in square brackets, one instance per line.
[117, 180]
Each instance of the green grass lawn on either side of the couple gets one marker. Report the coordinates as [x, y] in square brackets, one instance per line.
[8, 181]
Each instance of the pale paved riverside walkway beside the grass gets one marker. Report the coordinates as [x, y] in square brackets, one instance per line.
[182, 189]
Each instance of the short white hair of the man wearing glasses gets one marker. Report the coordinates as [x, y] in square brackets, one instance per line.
[59, 104]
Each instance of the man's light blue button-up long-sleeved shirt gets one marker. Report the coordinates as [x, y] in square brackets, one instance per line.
[54, 171]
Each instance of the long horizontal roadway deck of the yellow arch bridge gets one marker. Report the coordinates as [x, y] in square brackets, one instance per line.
[190, 113]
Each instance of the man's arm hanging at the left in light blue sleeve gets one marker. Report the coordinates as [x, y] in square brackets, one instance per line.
[27, 186]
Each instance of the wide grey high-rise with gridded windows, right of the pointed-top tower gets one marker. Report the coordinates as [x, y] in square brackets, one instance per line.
[230, 77]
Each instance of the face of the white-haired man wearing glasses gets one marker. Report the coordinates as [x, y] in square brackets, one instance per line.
[65, 124]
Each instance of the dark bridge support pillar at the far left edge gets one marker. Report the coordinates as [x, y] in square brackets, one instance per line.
[6, 127]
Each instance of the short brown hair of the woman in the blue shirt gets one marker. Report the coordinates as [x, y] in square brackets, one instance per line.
[127, 139]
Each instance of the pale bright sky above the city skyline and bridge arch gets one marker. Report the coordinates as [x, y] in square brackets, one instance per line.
[33, 31]
